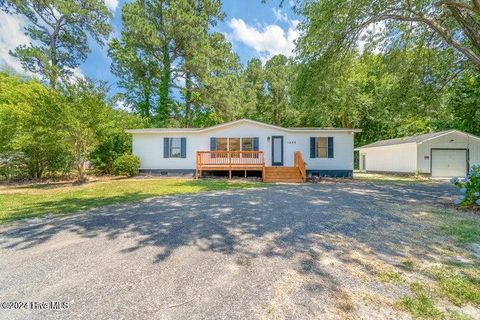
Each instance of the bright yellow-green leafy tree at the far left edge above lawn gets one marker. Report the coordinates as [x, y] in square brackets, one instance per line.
[31, 131]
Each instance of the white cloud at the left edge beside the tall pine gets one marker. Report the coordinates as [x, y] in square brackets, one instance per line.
[11, 35]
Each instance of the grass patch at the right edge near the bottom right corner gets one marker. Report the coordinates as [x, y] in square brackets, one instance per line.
[459, 285]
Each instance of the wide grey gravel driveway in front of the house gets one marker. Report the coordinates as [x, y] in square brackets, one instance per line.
[285, 251]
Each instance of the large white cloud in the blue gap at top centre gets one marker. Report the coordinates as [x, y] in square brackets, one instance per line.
[267, 40]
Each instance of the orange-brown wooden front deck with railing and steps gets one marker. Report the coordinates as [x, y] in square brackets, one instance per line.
[249, 161]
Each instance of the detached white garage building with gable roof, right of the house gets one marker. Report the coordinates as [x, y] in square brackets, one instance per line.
[442, 154]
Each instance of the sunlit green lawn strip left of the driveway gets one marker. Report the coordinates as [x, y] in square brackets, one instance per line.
[34, 200]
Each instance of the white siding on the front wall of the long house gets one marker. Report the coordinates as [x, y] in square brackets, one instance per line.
[149, 146]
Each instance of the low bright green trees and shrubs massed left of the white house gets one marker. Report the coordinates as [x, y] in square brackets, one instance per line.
[46, 132]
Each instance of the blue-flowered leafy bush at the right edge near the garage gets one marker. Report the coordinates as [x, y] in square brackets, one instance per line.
[469, 188]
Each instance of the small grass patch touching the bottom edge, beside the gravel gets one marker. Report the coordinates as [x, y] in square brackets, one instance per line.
[420, 304]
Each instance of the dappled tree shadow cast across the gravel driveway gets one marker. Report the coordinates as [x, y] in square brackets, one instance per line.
[378, 215]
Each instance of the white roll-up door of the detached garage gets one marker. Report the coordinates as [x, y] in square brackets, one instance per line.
[447, 163]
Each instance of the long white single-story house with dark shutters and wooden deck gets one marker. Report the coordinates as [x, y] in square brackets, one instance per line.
[281, 154]
